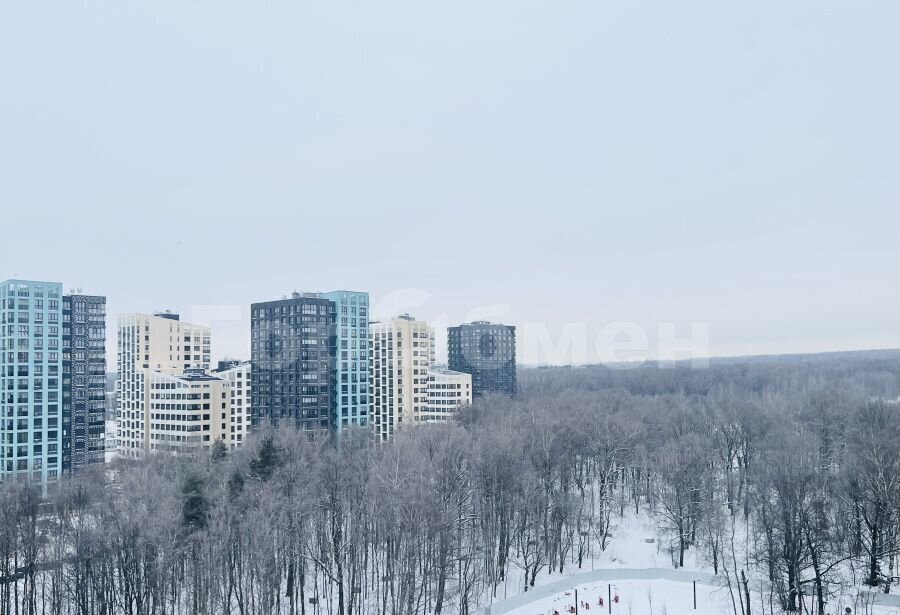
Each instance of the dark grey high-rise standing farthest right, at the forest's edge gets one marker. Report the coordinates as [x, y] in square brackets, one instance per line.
[486, 351]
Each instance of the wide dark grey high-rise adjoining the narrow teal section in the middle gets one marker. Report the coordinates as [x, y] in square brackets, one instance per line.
[293, 351]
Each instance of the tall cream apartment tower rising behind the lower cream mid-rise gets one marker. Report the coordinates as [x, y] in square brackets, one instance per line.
[147, 344]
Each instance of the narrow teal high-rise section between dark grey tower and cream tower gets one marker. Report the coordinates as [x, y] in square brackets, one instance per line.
[351, 365]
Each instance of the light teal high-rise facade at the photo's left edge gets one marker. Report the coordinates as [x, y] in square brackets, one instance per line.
[31, 380]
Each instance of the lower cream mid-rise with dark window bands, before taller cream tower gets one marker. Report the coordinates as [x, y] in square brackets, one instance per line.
[187, 413]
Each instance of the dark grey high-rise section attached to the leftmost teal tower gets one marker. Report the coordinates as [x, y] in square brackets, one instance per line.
[84, 381]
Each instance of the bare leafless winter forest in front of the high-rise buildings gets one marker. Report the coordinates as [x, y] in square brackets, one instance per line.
[795, 483]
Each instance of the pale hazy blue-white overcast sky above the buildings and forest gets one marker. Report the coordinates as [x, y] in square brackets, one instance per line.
[735, 165]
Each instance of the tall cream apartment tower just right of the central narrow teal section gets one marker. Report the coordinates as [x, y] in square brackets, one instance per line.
[402, 349]
